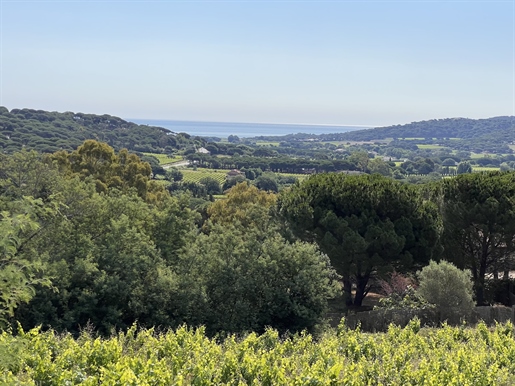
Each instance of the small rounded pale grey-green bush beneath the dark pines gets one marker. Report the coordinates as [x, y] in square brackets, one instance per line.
[447, 287]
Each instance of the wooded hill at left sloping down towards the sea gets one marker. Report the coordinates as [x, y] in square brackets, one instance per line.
[52, 131]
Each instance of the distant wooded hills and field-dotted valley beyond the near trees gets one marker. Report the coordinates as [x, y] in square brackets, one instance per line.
[415, 155]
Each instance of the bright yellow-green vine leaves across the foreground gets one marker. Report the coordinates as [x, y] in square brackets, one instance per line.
[409, 356]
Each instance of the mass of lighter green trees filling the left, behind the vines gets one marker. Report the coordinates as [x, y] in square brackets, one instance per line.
[87, 239]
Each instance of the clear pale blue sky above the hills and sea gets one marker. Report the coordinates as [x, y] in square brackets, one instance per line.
[371, 63]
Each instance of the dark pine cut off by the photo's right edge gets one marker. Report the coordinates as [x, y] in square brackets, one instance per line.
[478, 211]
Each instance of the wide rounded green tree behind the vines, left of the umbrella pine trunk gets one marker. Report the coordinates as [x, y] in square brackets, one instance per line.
[238, 279]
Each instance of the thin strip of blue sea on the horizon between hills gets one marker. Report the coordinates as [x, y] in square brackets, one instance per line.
[244, 130]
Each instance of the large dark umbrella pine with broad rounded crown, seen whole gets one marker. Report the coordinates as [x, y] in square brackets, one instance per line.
[365, 224]
